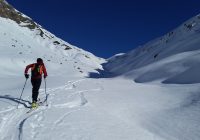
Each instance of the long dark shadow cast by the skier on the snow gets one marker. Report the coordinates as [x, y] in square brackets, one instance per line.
[16, 100]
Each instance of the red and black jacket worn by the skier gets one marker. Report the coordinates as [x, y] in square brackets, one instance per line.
[42, 70]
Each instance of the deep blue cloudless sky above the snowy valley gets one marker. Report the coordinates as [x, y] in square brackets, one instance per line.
[108, 27]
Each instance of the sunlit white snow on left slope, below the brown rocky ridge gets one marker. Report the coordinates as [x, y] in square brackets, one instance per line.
[23, 46]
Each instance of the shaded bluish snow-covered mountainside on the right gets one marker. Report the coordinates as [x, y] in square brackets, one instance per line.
[172, 58]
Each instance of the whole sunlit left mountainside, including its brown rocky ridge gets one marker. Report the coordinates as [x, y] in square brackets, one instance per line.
[23, 40]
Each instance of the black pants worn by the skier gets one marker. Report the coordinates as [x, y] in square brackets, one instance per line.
[36, 86]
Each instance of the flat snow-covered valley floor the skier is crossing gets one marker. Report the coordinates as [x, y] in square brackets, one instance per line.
[96, 109]
